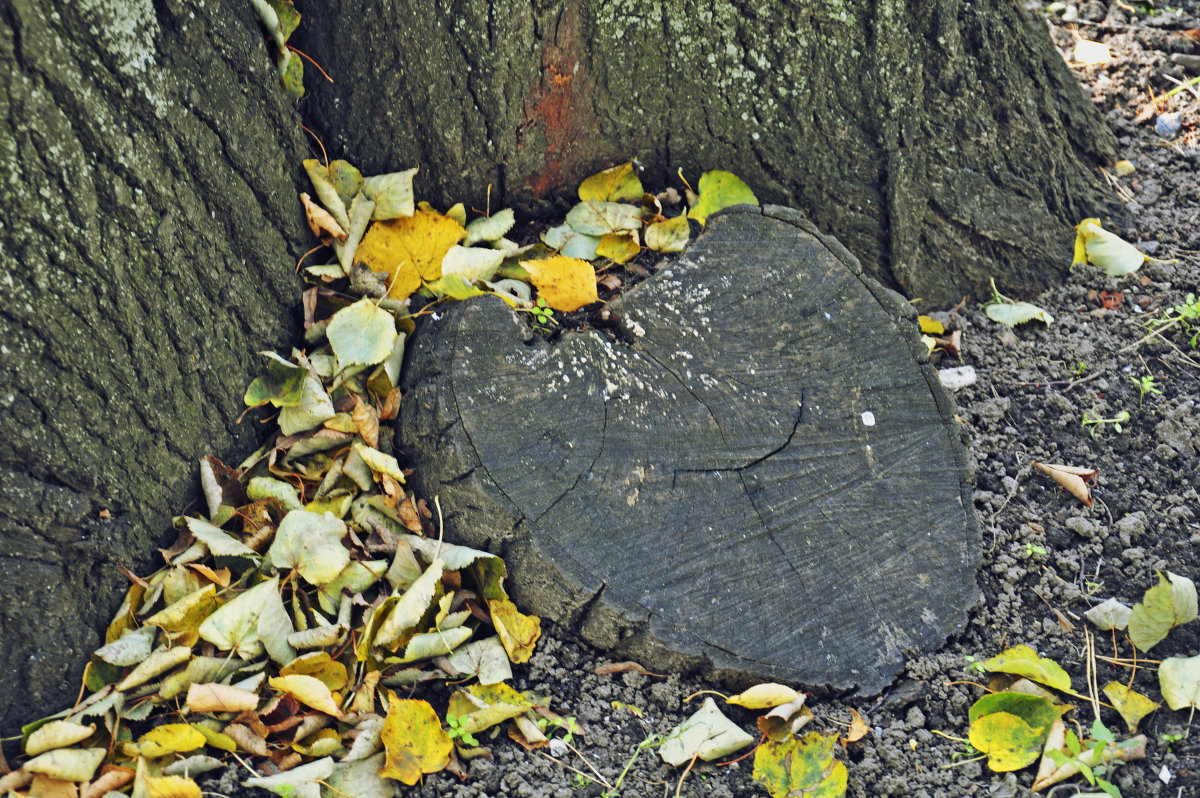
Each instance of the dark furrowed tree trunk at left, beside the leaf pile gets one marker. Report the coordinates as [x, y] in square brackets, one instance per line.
[149, 233]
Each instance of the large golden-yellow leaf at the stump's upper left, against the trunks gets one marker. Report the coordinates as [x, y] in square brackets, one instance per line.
[410, 249]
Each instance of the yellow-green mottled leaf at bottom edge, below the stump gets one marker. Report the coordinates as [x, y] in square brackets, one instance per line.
[801, 769]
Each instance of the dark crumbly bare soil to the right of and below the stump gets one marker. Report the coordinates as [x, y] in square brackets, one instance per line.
[1047, 555]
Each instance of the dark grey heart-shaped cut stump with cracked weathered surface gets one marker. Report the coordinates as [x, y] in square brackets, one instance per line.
[759, 476]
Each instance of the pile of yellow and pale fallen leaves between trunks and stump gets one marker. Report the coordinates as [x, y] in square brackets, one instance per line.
[315, 587]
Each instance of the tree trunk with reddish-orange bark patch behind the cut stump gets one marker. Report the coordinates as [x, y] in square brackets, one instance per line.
[943, 141]
